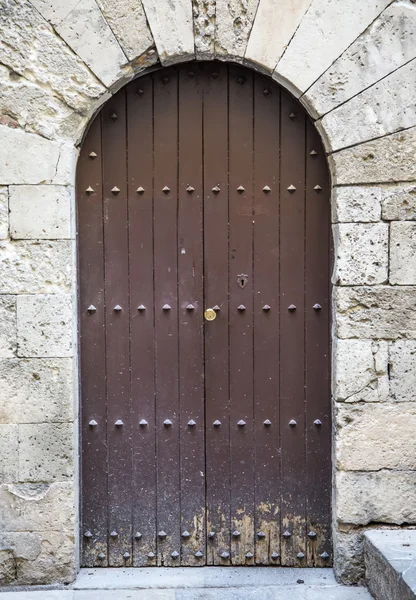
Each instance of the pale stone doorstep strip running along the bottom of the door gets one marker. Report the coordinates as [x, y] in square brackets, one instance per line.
[205, 583]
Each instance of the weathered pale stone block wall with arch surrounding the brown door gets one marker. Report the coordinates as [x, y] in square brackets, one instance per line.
[355, 73]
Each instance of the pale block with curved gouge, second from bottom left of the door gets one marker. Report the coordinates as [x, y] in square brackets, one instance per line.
[28, 507]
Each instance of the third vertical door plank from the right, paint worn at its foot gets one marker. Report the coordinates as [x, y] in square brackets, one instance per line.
[266, 319]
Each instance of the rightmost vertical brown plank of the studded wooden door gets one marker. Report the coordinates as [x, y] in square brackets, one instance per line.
[317, 311]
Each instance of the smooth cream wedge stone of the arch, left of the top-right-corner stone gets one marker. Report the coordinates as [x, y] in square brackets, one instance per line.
[323, 35]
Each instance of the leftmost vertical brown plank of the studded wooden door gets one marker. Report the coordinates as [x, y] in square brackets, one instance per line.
[92, 350]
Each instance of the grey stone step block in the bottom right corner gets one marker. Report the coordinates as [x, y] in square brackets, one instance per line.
[390, 560]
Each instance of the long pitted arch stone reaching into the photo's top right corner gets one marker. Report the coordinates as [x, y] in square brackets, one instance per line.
[381, 49]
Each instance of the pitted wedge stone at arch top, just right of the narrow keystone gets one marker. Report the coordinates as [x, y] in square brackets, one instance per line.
[234, 20]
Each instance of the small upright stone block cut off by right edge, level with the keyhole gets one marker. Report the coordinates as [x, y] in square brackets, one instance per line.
[403, 253]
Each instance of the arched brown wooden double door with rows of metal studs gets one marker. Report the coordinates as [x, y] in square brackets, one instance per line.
[204, 187]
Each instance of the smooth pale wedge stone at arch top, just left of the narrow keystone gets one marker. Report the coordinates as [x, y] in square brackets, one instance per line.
[172, 29]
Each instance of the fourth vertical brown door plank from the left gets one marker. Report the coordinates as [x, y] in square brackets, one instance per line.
[166, 319]
